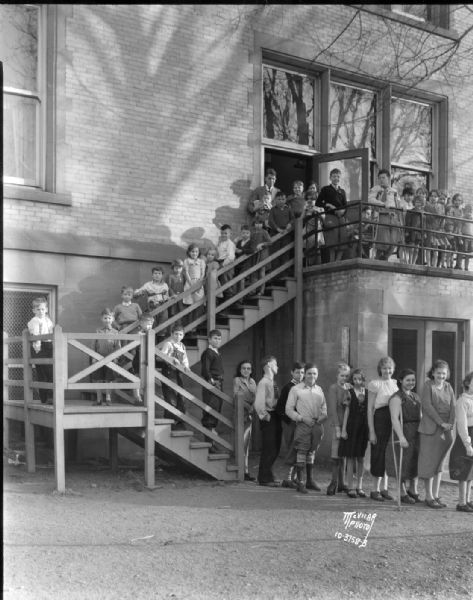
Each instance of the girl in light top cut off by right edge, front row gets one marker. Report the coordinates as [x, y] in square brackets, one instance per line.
[461, 456]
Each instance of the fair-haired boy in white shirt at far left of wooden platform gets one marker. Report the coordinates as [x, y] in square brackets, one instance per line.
[41, 324]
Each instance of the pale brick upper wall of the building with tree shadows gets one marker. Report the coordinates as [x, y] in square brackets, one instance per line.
[158, 112]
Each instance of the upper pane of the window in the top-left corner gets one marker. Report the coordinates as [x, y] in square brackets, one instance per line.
[19, 45]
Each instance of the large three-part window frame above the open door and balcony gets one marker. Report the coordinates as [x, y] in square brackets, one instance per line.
[290, 55]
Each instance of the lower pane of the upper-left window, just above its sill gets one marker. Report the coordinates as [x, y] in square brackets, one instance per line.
[19, 138]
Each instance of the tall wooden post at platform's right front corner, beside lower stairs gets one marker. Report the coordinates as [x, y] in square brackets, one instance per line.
[147, 349]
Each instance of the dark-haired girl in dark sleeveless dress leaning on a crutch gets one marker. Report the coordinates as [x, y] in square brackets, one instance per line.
[405, 409]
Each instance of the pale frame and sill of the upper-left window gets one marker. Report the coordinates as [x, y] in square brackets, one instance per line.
[49, 185]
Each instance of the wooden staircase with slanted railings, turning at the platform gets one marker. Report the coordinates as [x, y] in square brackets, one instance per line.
[232, 316]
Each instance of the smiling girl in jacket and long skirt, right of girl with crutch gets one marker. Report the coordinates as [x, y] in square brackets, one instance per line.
[436, 424]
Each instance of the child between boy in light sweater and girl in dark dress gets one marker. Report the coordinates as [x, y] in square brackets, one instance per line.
[338, 395]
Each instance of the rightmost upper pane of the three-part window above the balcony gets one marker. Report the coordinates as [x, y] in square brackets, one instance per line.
[411, 133]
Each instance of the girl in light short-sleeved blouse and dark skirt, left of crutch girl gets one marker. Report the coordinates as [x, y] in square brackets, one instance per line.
[379, 423]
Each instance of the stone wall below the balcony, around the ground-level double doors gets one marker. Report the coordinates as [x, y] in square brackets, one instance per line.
[363, 300]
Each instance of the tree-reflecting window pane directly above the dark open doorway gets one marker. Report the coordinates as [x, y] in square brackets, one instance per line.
[288, 100]
